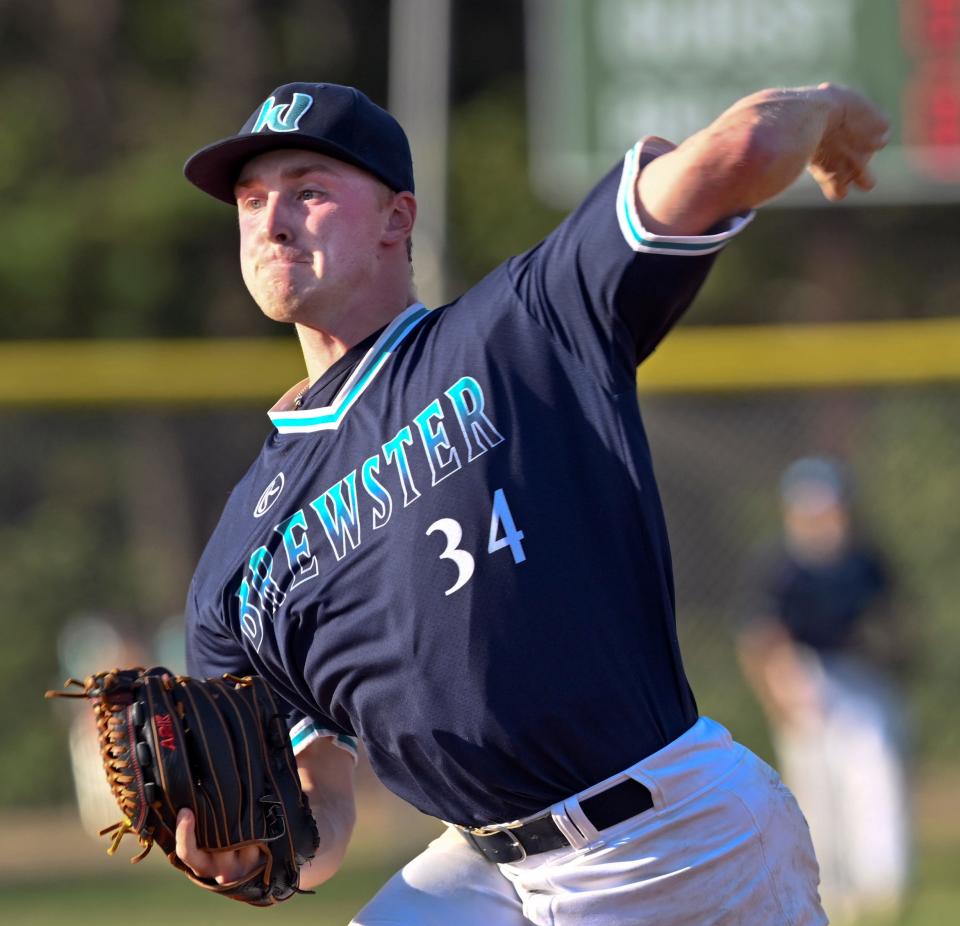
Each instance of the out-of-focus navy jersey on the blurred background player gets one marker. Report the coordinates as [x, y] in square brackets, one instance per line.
[824, 605]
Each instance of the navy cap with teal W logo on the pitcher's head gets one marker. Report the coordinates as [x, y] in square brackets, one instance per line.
[329, 118]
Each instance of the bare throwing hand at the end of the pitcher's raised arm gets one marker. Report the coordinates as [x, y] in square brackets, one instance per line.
[856, 131]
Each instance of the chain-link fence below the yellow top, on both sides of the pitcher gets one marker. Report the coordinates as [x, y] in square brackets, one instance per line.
[106, 512]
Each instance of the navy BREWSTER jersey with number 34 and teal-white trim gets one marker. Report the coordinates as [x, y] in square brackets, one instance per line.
[455, 550]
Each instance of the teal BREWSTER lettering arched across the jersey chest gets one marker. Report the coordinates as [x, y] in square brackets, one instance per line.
[344, 511]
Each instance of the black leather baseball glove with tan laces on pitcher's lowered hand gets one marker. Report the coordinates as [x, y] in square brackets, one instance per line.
[217, 747]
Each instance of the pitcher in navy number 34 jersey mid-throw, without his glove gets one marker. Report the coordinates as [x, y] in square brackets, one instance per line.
[451, 545]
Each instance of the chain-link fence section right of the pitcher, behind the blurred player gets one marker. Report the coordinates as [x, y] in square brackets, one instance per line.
[719, 461]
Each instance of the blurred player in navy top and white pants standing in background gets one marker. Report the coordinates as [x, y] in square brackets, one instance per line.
[820, 653]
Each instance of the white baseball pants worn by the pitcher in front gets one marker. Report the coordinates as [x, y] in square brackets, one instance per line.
[724, 844]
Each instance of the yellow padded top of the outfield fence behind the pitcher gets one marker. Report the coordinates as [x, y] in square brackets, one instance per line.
[692, 359]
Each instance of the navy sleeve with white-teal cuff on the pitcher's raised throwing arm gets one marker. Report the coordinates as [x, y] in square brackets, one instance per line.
[606, 288]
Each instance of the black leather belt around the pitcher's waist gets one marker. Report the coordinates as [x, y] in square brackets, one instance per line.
[511, 844]
